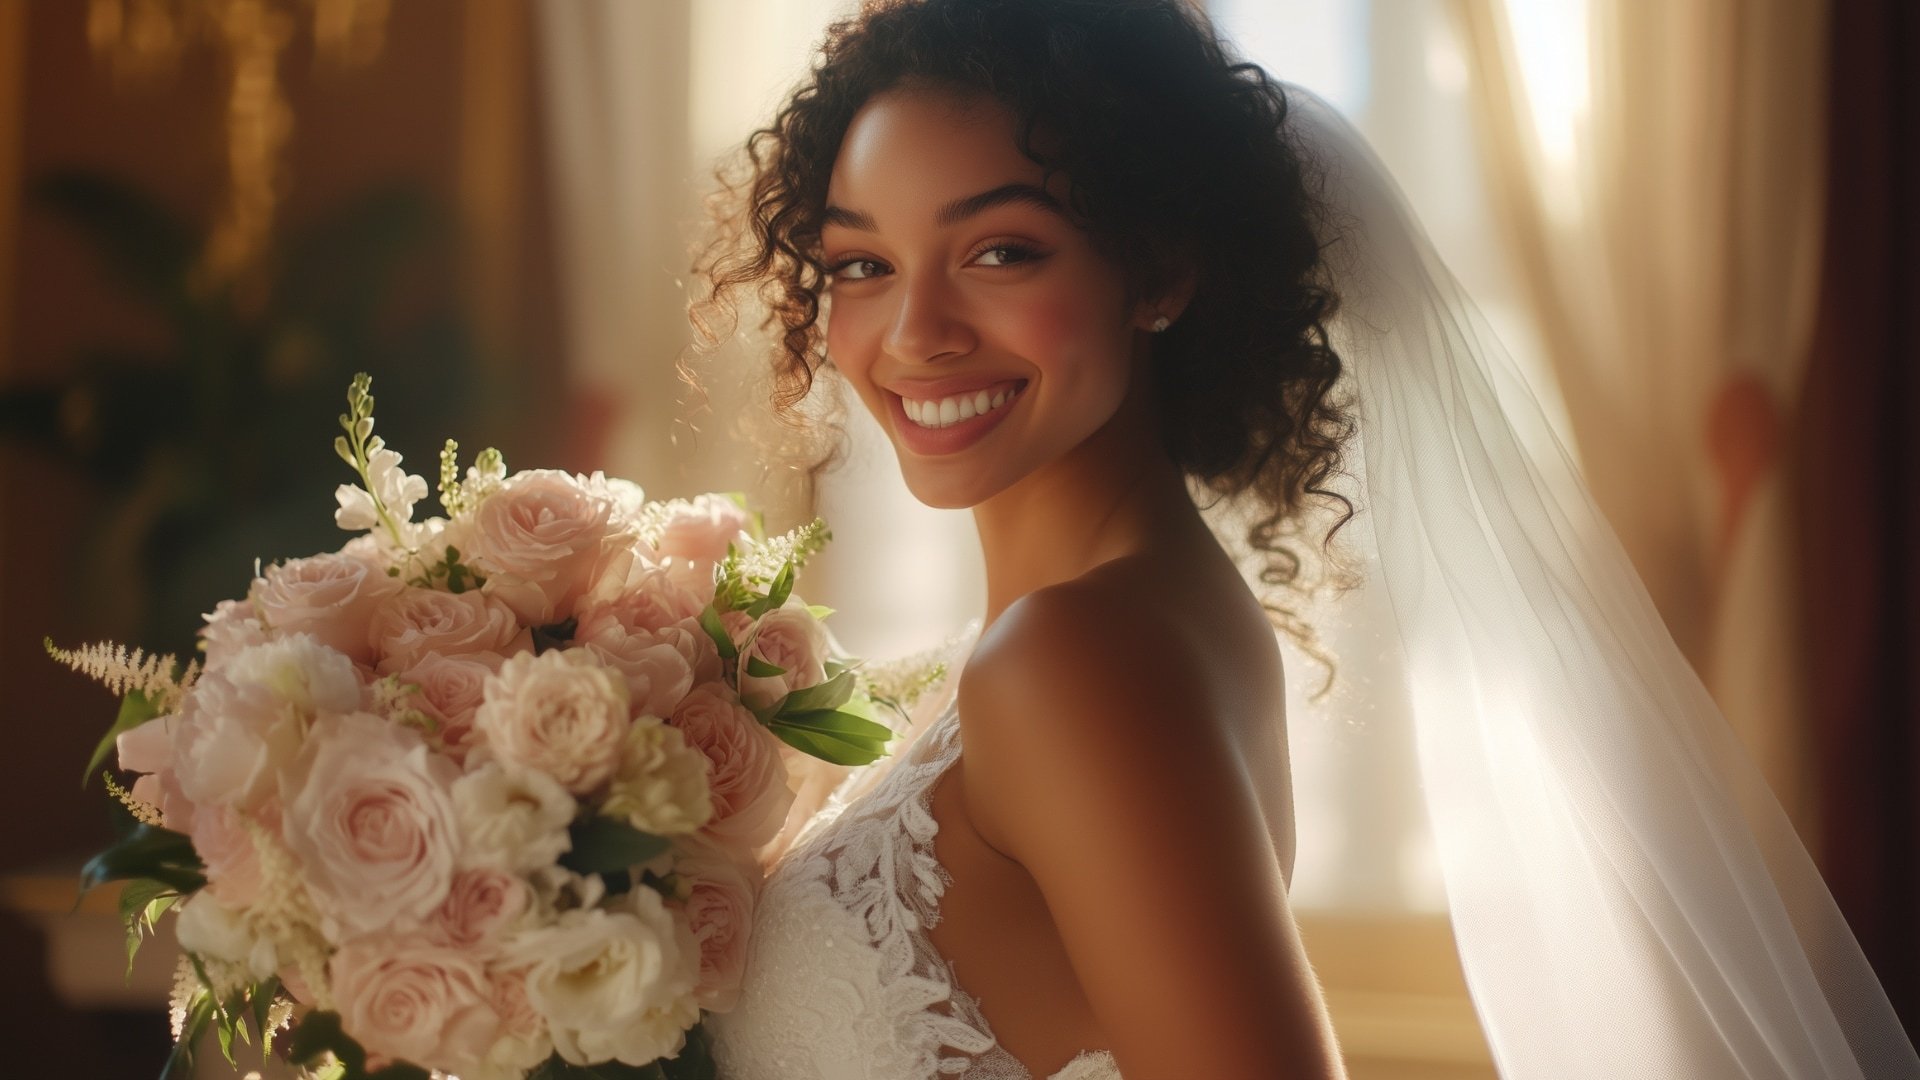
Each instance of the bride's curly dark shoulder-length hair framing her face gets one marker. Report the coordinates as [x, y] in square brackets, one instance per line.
[1176, 157]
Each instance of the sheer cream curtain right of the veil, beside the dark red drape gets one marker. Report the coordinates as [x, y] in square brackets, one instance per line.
[1660, 184]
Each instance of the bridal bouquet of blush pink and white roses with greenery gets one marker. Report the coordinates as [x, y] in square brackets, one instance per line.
[479, 795]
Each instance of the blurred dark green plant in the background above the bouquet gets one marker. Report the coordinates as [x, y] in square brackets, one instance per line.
[203, 451]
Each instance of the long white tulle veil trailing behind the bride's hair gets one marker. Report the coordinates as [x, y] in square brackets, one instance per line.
[1627, 895]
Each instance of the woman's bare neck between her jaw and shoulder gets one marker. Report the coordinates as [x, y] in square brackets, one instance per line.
[1115, 495]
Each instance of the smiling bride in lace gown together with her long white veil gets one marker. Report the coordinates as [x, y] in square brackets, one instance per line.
[1086, 270]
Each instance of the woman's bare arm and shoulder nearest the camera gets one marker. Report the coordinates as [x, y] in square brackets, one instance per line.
[1093, 764]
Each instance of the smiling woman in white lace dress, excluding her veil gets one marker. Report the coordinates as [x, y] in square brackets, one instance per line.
[986, 224]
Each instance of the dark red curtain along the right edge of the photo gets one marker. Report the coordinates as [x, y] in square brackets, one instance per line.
[1858, 479]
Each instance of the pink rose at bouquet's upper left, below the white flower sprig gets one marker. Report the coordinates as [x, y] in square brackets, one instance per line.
[329, 597]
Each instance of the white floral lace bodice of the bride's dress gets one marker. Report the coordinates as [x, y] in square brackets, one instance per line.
[842, 979]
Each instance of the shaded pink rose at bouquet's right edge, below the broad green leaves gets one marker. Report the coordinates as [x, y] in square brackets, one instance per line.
[748, 777]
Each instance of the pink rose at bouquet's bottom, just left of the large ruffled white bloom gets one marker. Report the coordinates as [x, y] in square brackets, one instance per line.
[404, 998]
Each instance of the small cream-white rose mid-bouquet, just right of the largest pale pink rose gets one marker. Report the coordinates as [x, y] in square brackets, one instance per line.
[514, 818]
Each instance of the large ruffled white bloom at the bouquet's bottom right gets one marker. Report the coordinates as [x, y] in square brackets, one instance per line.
[615, 985]
